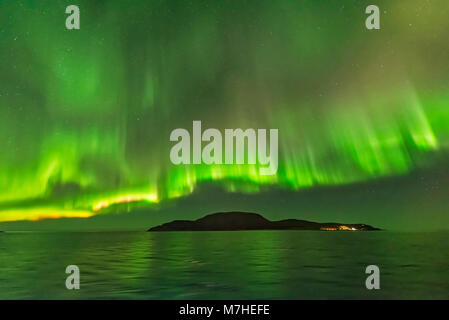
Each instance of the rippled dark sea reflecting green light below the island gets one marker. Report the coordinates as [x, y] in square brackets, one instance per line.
[224, 265]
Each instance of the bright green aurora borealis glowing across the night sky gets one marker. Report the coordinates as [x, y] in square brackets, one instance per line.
[85, 115]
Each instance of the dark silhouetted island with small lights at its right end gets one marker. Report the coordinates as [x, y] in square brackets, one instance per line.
[239, 221]
